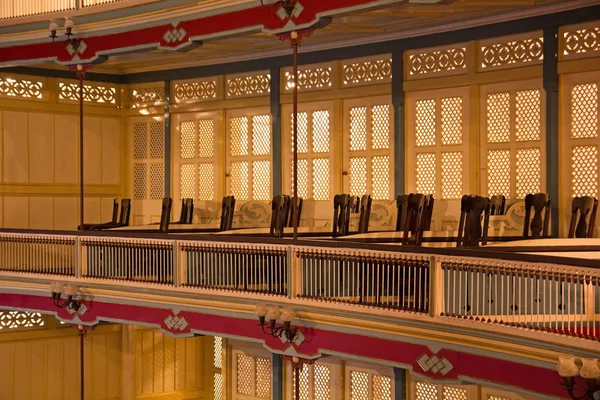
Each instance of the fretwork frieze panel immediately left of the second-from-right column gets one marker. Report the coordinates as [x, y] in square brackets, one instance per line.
[366, 72]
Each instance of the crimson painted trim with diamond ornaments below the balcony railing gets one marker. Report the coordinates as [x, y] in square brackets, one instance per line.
[538, 380]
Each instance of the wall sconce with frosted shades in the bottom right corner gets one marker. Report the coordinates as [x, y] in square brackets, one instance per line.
[569, 369]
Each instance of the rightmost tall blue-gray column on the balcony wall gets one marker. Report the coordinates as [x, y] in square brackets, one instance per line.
[551, 89]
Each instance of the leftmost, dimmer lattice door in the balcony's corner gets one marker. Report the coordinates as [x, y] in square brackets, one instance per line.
[148, 172]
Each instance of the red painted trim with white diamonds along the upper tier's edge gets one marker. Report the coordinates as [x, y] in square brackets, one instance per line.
[199, 28]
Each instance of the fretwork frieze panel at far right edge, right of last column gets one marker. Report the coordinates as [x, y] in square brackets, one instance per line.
[580, 41]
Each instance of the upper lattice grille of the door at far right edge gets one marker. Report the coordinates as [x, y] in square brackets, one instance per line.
[584, 111]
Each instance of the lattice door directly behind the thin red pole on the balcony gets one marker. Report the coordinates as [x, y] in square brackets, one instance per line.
[315, 162]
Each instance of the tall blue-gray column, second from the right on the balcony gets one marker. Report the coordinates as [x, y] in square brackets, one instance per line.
[399, 135]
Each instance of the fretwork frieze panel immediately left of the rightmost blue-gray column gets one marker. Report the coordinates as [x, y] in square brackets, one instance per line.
[510, 52]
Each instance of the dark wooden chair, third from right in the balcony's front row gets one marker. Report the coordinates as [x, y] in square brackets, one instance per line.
[473, 211]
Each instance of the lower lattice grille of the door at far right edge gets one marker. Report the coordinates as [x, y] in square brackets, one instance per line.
[584, 171]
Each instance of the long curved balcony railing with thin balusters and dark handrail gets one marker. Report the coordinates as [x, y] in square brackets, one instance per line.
[552, 294]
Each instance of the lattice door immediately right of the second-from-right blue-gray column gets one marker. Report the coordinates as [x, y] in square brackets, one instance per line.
[438, 150]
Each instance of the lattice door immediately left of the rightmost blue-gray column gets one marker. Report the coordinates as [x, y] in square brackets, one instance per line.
[513, 139]
